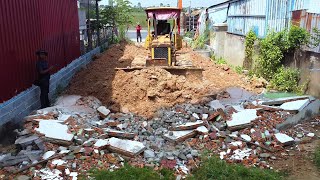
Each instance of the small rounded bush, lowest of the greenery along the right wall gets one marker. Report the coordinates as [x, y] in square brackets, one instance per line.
[286, 79]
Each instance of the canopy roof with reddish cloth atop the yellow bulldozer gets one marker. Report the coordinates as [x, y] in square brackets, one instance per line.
[164, 13]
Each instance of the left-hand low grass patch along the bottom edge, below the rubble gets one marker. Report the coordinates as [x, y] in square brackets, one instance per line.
[133, 173]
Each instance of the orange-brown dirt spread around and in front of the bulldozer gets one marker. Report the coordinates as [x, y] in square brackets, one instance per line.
[144, 91]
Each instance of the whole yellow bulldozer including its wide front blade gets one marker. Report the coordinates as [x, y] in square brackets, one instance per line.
[163, 42]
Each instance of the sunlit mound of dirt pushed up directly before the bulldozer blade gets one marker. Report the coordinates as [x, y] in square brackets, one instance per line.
[145, 91]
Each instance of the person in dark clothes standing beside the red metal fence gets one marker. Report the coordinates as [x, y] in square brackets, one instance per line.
[43, 71]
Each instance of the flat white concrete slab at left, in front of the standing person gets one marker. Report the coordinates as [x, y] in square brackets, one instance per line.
[54, 130]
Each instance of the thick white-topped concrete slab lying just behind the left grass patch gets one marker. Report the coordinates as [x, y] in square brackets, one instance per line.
[126, 147]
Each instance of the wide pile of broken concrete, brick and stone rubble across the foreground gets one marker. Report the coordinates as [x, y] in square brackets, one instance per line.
[78, 134]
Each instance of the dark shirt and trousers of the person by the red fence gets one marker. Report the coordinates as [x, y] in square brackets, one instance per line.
[44, 82]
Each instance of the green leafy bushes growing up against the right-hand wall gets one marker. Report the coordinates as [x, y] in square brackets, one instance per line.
[272, 51]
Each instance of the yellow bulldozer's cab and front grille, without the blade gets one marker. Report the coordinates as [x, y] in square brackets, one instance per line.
[163, 39]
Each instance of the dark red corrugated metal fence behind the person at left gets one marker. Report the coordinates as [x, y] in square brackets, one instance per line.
[27, 26]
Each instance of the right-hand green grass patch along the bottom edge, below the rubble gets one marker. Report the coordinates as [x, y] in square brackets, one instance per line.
[214, 168]
